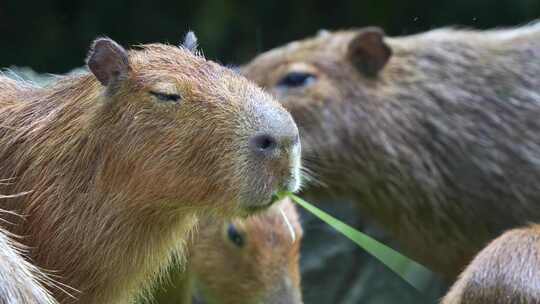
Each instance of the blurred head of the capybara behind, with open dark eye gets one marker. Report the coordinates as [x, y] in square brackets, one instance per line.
[326, 82]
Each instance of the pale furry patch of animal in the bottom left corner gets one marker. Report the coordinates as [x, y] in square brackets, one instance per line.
[20, 281]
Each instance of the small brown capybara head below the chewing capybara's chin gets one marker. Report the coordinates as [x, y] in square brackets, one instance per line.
[249, 261]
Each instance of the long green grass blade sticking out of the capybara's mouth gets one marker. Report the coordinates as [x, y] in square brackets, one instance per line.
[415, 274]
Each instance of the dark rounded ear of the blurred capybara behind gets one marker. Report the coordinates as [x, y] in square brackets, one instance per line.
[368, 51]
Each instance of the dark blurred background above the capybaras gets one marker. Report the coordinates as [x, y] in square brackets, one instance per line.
[53, 35]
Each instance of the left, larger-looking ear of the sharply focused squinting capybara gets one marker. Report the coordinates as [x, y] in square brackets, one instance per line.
[108, 61]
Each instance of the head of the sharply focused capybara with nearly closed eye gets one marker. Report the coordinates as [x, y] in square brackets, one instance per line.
[190, 129]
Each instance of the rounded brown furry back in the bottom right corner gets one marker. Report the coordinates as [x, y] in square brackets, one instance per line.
[505, 272]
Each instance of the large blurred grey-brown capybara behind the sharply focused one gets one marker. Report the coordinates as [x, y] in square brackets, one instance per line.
[434, 134]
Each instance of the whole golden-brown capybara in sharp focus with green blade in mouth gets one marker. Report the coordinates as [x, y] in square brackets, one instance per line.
[120, 161]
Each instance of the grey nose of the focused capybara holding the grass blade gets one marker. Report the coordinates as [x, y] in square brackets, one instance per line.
[270, 145]
